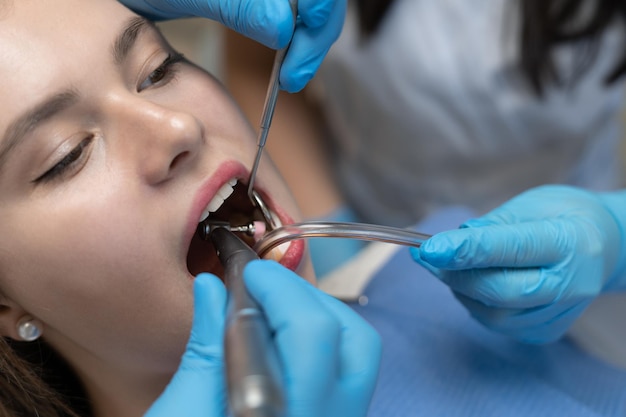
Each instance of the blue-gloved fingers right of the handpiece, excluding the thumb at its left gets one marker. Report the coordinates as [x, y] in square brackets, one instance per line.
[329, 354]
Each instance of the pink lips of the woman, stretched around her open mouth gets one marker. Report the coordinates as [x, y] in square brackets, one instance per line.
[228, 170]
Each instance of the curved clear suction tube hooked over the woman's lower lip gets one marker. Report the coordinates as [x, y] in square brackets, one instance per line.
[362, 231]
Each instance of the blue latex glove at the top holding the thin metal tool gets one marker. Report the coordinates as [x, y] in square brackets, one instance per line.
[269, 22]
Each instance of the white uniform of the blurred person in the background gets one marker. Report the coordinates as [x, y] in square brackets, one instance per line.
[433, 112]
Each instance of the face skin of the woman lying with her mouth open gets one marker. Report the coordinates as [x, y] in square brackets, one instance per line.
[99, 196]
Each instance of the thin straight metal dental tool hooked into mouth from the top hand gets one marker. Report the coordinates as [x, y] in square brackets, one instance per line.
[266, 121]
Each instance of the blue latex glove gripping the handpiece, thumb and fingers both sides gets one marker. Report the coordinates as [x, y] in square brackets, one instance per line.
[329, 355]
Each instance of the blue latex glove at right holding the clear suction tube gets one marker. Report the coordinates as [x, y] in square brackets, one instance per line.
[530, 267]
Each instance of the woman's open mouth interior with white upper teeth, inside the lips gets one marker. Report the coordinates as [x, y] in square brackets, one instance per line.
[230, 205]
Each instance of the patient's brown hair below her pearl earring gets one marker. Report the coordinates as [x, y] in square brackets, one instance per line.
[35, 381]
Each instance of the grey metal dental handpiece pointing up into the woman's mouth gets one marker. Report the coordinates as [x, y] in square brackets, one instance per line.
[252, 367]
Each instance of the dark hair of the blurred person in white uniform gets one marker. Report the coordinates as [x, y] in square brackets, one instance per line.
[545, 25]
